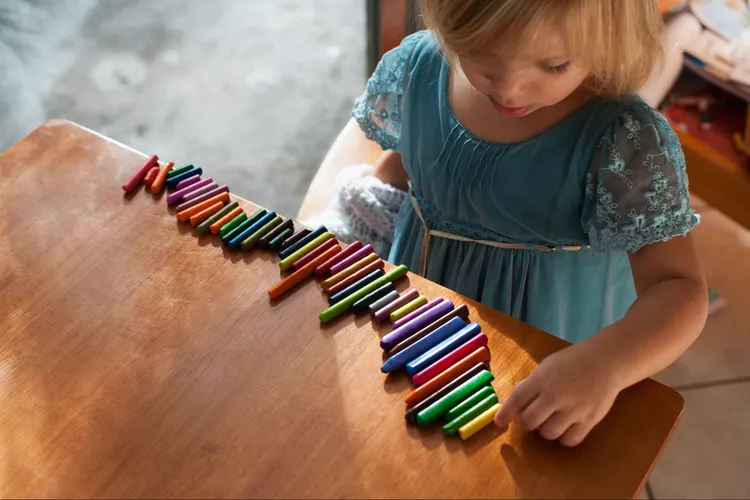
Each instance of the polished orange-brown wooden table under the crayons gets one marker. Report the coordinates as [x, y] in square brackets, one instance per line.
[141, 360]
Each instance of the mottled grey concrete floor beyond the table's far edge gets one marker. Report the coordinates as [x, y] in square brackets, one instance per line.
[255, 91]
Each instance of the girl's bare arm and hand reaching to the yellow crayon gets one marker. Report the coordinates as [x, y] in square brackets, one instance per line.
[572, 390]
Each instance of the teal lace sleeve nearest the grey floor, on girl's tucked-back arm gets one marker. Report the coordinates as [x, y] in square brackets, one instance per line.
[378, 109]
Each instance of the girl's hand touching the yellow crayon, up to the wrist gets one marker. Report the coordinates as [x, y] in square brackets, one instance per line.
[565, 397]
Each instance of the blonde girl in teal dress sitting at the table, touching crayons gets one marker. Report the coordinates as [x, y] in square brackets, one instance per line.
[534, 180]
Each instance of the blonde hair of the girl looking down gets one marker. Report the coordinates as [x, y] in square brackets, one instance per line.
[619, 41]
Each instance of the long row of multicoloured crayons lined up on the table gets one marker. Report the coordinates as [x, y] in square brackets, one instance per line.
[445, 357]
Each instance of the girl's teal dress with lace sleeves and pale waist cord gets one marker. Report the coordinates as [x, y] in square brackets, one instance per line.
[556, 214]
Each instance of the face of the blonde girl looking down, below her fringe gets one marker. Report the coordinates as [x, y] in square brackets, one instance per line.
[531, 79]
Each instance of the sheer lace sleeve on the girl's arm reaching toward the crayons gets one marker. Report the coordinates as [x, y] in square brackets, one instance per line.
[637, 187]
